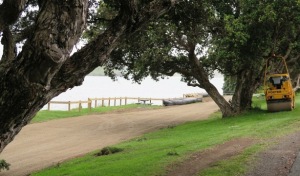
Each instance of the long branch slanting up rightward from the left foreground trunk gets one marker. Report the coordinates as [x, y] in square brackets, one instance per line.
[96, 52]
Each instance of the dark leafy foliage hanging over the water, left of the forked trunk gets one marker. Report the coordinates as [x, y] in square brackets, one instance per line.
[159, 50]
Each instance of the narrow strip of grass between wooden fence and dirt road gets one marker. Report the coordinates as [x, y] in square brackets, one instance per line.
[46, 115]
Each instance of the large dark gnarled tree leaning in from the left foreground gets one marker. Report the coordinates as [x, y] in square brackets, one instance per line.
[44, 66]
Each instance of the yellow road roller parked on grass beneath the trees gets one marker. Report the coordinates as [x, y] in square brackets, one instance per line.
[278, 88]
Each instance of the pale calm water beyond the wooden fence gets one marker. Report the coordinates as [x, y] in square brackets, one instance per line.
[104, 87]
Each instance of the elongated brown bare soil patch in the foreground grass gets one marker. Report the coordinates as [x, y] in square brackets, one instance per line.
[205, 159]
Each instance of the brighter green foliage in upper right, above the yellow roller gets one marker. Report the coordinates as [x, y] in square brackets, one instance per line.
[252, 33]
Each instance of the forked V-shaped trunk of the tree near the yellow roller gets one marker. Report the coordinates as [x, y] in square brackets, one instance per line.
[248, 81]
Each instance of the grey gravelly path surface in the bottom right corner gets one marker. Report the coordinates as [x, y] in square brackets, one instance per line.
[278, 159]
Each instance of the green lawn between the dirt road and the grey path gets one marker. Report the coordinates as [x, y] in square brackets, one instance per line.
[152, 153]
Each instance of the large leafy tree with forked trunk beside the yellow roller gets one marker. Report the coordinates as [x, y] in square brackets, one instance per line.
[196, 38]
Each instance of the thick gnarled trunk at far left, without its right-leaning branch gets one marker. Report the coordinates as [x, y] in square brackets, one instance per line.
[25, 80]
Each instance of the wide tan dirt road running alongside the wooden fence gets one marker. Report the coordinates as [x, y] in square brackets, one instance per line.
[41, 145]
